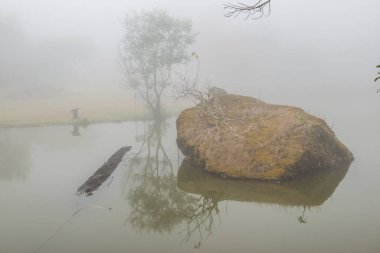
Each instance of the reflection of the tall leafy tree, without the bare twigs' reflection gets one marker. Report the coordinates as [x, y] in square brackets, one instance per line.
[156, 206]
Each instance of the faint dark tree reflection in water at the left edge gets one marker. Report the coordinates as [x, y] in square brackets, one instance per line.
[14, 161]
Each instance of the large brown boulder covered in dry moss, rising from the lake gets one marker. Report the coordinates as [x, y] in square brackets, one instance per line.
[243, 137]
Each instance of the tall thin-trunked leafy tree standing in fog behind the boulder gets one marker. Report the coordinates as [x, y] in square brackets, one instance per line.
[153, 45]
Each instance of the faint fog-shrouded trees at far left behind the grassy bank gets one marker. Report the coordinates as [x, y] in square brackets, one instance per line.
[38, 67]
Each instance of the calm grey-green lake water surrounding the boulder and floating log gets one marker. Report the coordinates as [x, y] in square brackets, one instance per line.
[155, 203]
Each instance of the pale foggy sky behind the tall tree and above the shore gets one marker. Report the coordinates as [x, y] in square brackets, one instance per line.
[74, 43]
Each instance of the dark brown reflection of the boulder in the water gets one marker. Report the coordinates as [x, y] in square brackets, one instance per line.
[307, 191]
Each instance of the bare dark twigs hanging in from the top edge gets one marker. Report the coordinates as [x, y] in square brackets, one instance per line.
[256, 10]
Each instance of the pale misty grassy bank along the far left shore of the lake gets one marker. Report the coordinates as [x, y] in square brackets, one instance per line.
[93, 108]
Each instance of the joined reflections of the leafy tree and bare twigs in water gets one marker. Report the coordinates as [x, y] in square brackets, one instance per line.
[158, 205]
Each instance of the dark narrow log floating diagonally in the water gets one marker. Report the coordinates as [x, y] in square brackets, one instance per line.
[103, 173]
